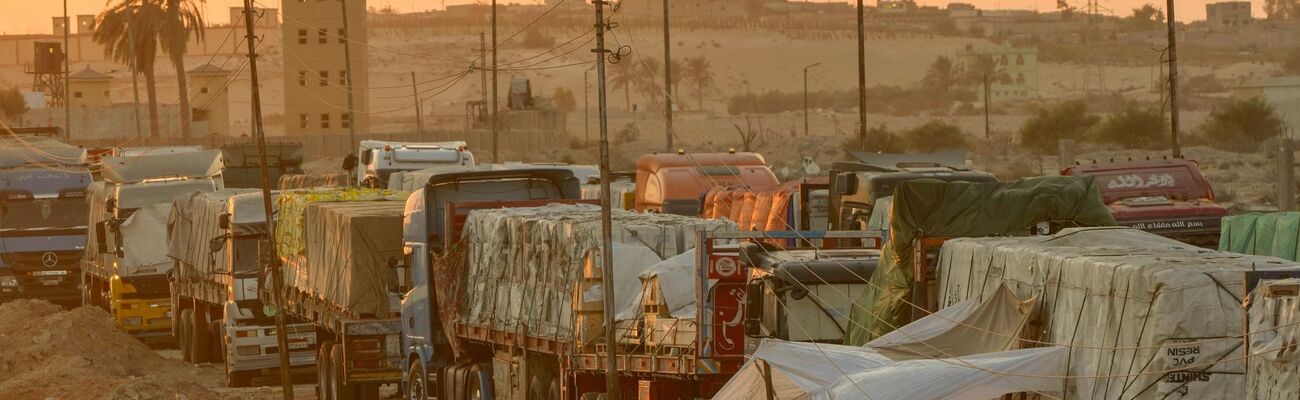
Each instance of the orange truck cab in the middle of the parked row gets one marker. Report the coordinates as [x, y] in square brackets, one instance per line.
[675, 184]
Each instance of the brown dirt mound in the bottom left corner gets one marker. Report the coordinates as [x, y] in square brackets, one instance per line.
[50, 354]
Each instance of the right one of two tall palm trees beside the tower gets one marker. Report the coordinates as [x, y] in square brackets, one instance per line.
[181, 19]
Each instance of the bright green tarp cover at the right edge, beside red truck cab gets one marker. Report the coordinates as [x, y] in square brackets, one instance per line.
[1273, 234]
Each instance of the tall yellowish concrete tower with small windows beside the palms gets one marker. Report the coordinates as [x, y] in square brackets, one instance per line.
[315, 68]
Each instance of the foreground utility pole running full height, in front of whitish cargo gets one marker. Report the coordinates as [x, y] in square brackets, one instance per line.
[612, 366]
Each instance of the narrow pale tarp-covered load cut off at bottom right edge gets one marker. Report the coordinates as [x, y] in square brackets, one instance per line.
[1275, 367]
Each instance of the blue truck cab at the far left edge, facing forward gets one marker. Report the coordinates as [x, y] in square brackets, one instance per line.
[42, 219]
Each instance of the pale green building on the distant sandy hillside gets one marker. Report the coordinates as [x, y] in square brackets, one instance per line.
[1019, 64]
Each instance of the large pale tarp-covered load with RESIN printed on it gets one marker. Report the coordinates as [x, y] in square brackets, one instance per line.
[1143, 319]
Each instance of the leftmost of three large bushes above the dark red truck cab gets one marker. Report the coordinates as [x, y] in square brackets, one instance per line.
[1069, 120]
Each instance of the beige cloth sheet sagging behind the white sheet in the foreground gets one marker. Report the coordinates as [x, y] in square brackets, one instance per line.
[963, 329]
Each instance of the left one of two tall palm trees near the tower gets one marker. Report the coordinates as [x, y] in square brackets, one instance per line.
[129, 31]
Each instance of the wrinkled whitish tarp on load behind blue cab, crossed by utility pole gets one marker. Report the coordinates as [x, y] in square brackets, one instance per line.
[523, 263]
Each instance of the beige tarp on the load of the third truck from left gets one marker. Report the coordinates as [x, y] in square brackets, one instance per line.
[194, 221]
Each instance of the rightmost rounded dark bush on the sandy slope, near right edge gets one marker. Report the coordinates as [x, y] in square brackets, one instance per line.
[1242, 125]
